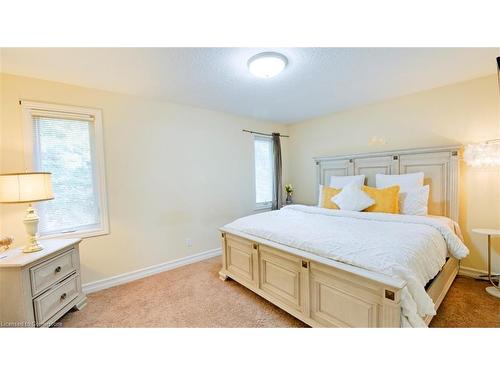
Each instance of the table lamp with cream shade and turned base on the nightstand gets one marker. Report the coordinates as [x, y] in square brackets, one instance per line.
[27, 188]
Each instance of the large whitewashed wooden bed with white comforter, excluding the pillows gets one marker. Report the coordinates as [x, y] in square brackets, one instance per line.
[332, 268]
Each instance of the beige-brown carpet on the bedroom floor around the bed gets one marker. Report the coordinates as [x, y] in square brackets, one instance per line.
[193, 296]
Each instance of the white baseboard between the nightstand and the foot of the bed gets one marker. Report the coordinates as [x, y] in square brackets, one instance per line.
[148, 271]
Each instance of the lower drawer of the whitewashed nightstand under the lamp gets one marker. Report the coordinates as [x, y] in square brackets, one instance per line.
[55, 299]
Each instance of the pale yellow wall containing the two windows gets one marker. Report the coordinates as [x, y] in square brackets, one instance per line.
[173, 172]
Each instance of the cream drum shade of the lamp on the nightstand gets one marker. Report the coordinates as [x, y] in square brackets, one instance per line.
[25, 187]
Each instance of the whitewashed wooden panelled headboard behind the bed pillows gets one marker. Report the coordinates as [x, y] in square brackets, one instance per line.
[439, 164]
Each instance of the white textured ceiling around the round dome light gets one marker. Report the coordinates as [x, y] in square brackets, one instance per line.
[317, 81]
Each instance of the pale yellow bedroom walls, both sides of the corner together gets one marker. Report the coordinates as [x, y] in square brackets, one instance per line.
[175, 172]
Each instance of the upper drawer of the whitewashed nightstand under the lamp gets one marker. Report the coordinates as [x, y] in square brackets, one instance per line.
[50, 272]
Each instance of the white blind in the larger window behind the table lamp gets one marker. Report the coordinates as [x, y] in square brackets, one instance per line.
[63, 144]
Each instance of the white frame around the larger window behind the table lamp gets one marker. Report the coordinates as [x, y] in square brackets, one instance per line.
[97, 146]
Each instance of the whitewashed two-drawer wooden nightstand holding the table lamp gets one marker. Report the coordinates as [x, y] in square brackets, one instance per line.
[36, 289]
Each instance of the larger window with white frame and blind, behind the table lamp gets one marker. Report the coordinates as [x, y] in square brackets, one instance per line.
[67, 142]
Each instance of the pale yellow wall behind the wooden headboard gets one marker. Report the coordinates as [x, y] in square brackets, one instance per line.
[457, 114]
